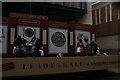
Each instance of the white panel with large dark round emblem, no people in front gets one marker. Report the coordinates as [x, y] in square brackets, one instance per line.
[57, 41]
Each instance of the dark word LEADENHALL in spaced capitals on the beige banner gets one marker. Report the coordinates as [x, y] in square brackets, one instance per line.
[52, 65]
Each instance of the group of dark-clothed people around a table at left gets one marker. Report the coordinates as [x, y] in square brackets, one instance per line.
[21, 46]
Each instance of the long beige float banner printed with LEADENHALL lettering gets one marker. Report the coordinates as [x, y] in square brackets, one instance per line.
[54, 65]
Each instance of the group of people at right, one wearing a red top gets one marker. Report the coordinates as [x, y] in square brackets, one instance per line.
[87, 49]
